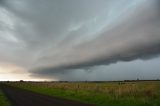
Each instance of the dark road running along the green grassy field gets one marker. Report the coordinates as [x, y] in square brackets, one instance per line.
[19, 97]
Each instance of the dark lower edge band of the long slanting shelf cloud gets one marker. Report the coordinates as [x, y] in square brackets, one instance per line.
[139, 54]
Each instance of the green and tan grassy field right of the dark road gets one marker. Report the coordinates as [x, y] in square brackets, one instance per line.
[140, 93]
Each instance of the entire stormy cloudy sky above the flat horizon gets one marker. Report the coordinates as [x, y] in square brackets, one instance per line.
[79, 40]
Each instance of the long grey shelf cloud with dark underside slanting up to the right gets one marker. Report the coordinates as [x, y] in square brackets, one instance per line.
[135, 38]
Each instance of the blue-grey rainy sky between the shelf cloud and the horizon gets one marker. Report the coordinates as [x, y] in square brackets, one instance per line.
[119, 71]
